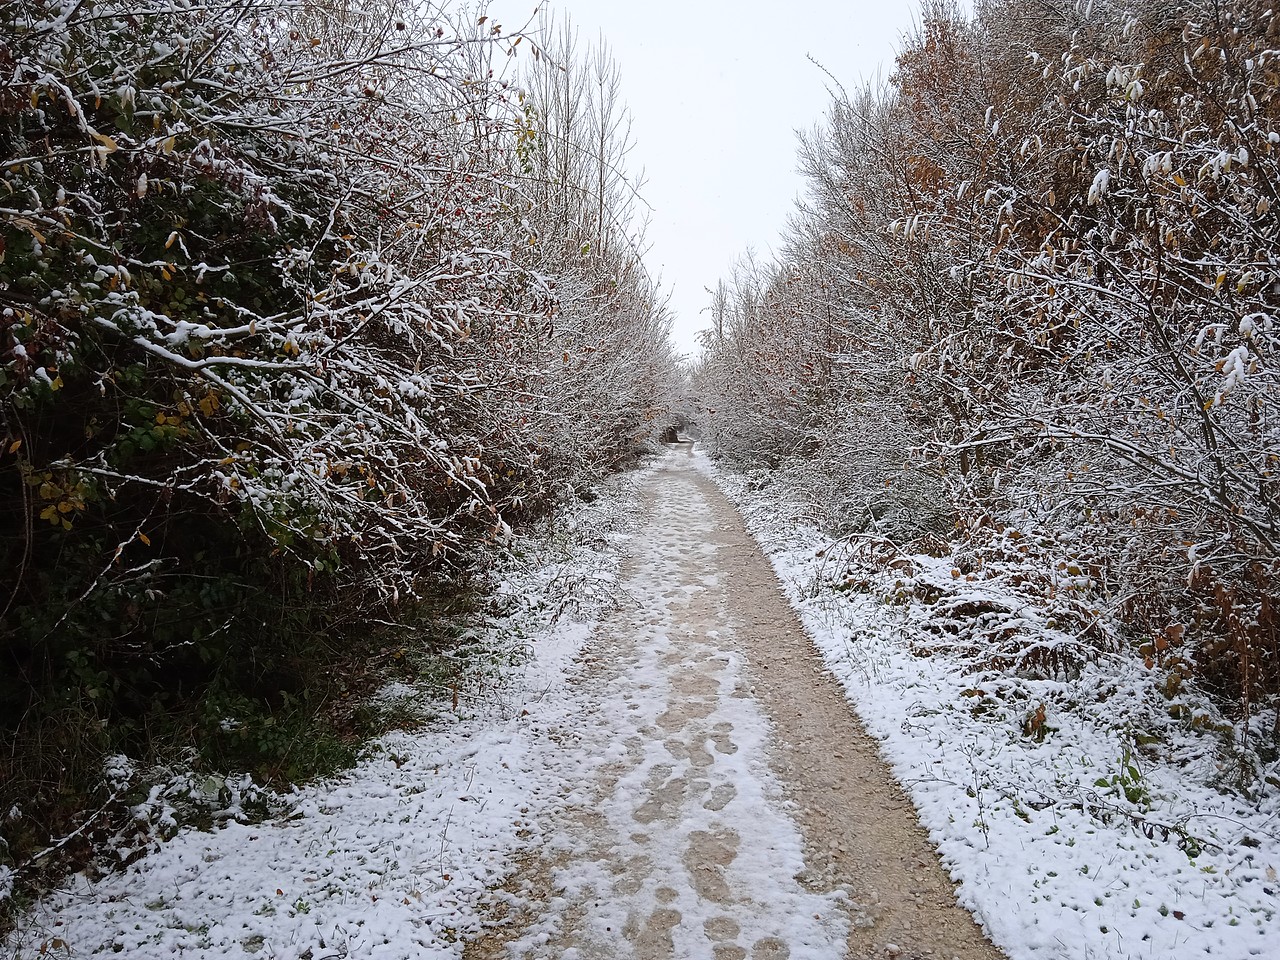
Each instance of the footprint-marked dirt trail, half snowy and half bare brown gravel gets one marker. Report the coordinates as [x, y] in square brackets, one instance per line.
[738, 811]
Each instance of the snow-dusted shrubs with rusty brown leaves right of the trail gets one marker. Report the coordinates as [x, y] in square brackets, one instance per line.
[1027, 318]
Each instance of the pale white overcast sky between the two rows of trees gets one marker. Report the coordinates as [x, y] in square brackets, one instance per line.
[717, 90]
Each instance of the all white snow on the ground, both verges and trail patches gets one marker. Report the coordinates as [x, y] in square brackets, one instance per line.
[1068, 839]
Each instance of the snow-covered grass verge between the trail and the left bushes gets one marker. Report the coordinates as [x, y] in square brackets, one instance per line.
[399, 858]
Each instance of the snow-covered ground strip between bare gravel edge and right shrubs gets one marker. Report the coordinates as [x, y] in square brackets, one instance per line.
[1068, 839]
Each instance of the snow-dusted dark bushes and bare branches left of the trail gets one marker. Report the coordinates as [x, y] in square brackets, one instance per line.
[285, 345]
